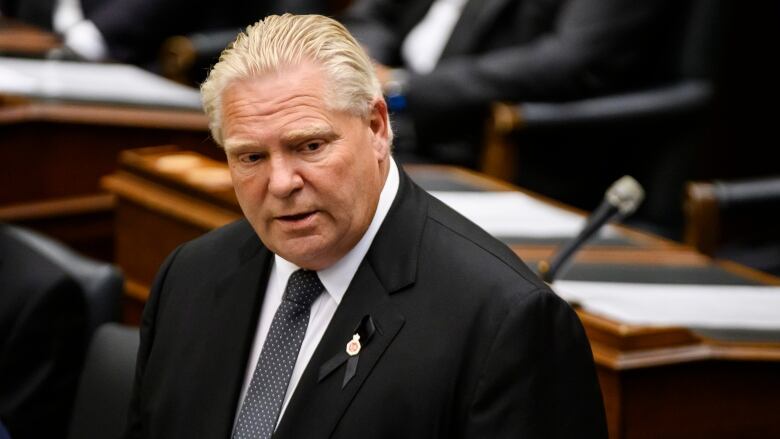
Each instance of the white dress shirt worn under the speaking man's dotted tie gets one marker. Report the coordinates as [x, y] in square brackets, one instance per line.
[335, 278]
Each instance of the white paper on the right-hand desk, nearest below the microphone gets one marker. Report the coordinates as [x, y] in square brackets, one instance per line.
[691, 306]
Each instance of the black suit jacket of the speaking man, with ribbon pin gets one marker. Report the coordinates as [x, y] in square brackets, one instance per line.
[468, 342]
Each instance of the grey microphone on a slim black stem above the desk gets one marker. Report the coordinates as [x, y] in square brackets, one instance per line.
[620, 200]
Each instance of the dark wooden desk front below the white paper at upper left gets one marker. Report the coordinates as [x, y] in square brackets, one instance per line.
[53, 151]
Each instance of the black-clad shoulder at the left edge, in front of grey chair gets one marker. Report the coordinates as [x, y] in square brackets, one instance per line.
[43, 322]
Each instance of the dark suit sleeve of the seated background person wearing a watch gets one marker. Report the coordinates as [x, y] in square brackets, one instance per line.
[595, 45]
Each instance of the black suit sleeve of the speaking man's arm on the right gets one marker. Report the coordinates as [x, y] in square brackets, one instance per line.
[539, 378]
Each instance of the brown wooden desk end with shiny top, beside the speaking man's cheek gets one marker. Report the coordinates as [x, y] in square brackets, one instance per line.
[166, 196]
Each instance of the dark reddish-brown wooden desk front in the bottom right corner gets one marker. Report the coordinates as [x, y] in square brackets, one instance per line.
[712, 399]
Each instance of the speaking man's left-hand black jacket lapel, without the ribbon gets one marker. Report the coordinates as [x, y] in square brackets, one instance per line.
[234, 310]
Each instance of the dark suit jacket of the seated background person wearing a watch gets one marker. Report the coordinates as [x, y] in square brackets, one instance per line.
[520, 51]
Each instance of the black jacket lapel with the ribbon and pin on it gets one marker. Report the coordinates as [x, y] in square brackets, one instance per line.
[389, 267]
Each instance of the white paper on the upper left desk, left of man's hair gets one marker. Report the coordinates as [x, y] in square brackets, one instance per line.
[93, 82]
